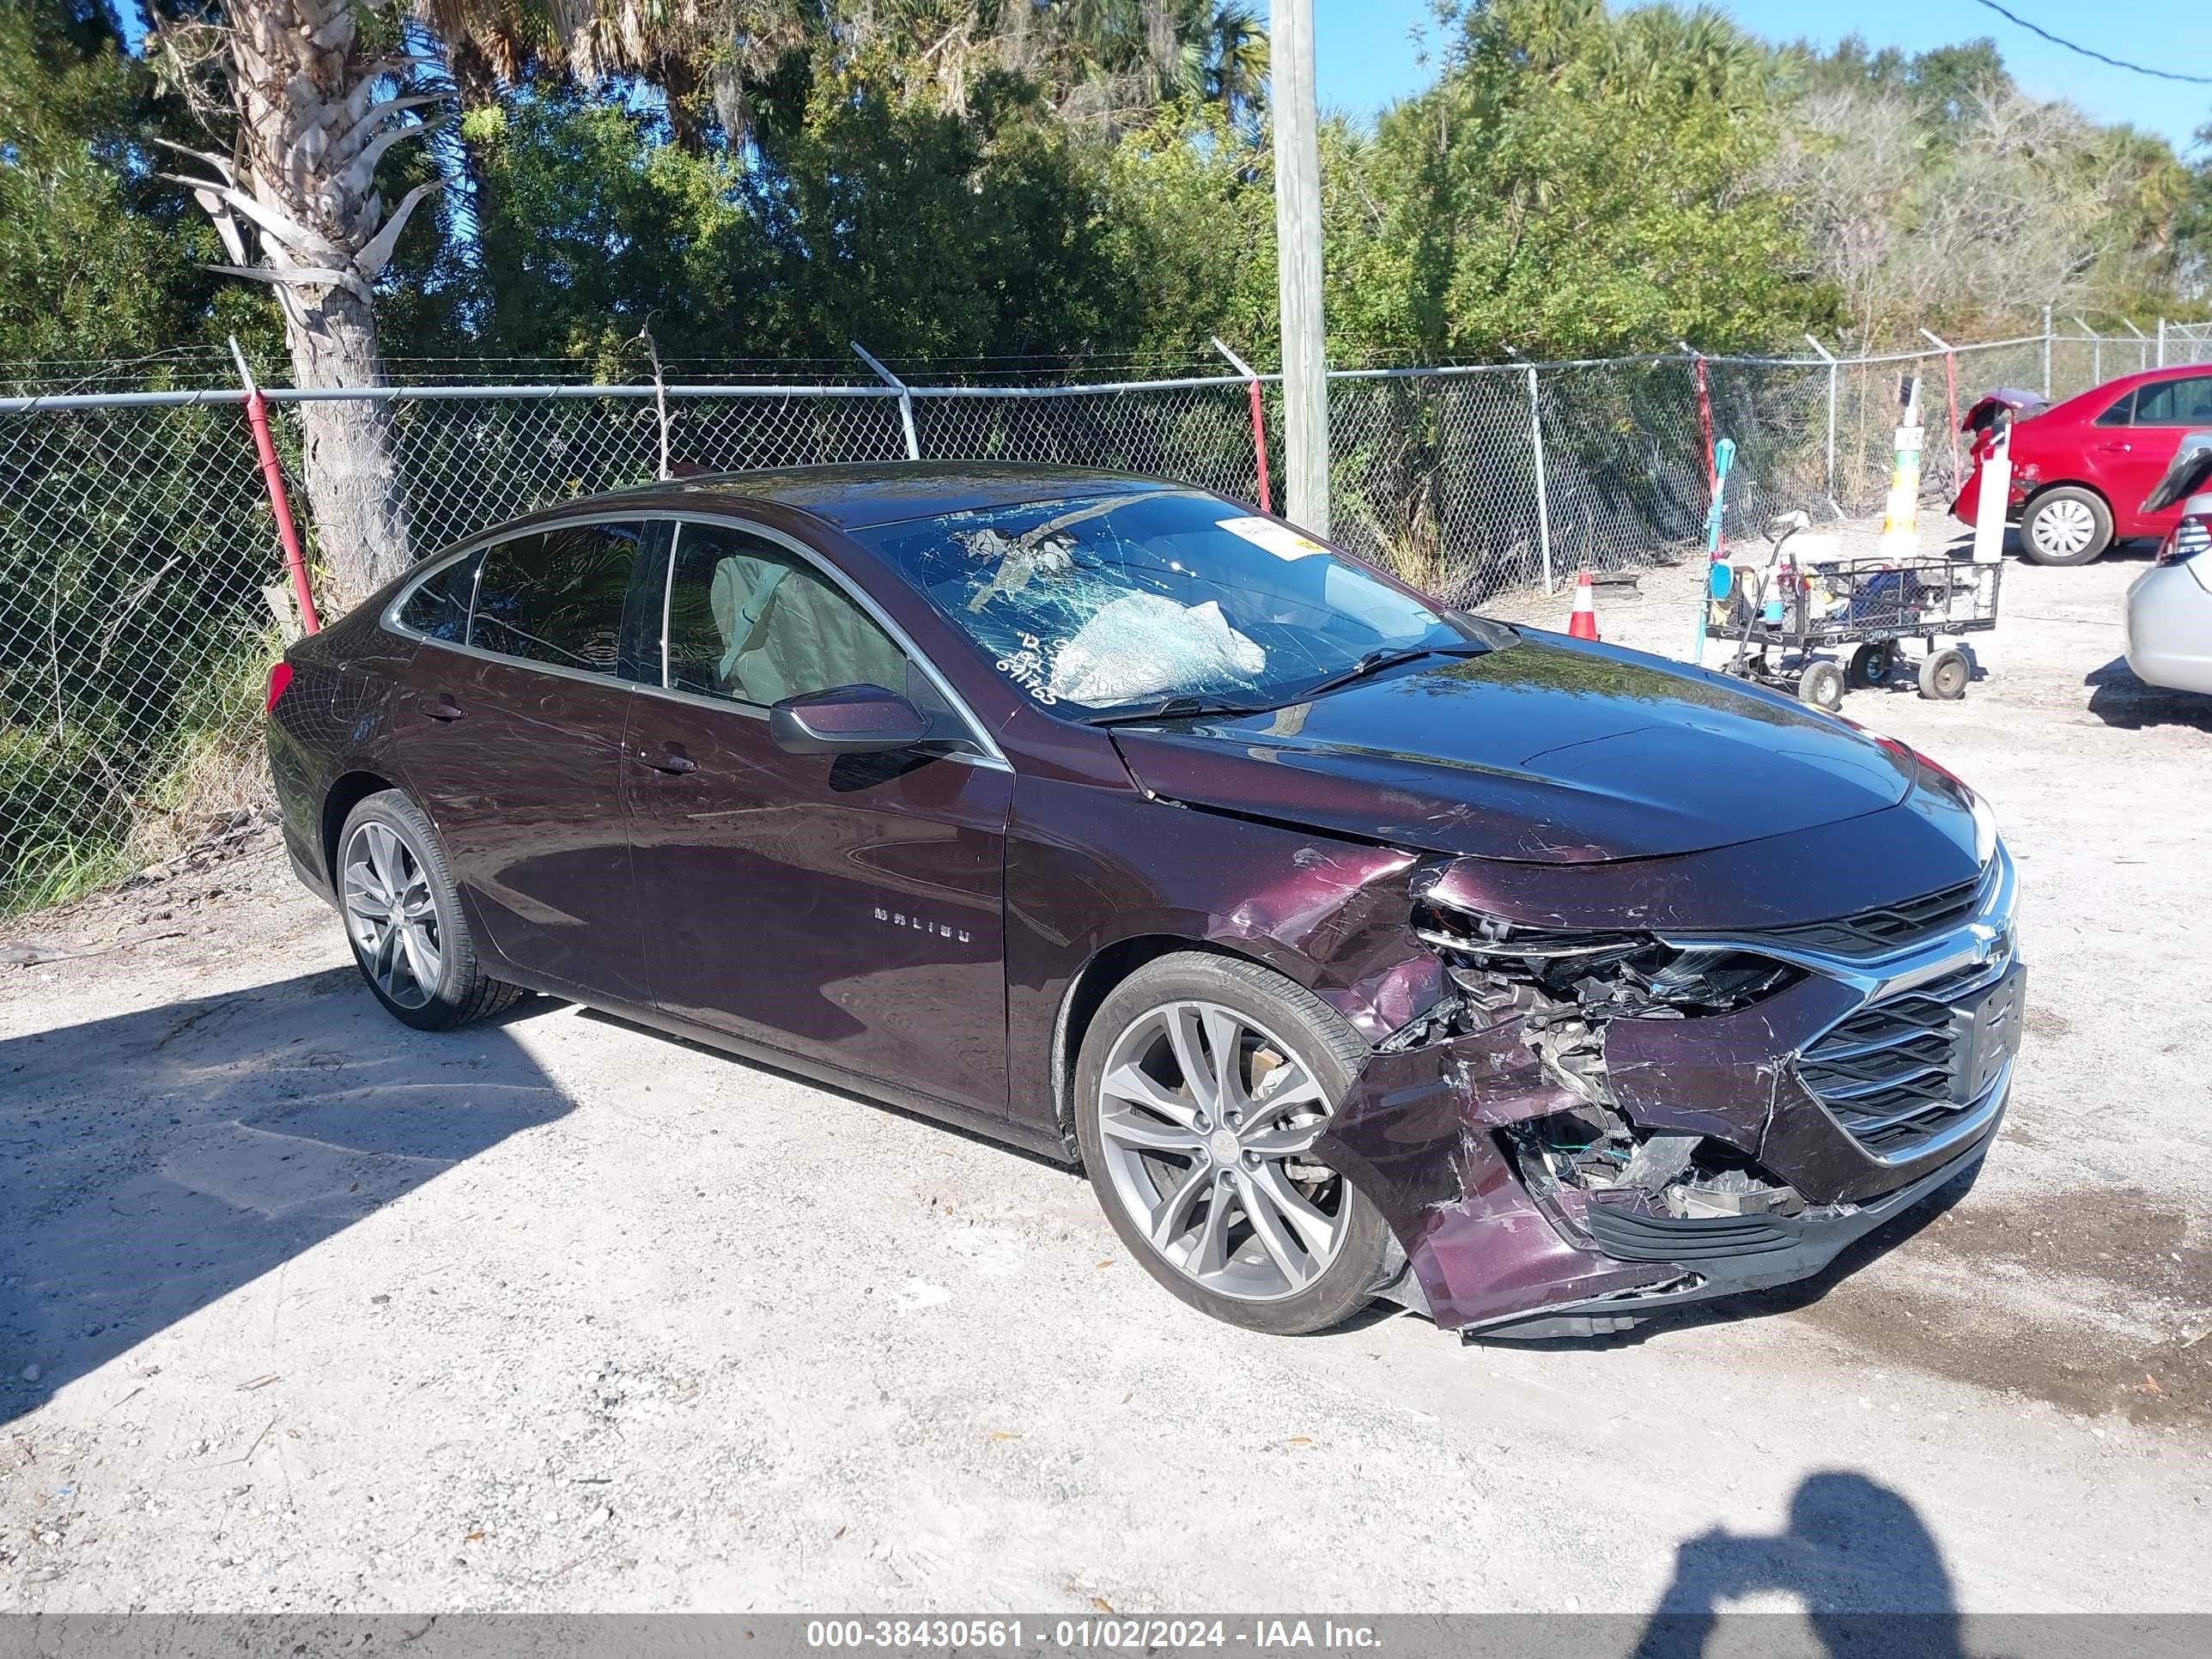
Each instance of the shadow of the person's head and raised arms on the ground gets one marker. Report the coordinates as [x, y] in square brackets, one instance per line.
[1859, 1558]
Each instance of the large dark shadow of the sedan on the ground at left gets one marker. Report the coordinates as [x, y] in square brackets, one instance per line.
[163, 1158]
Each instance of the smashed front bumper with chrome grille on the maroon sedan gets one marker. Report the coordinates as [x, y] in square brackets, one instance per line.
[1797, 1092]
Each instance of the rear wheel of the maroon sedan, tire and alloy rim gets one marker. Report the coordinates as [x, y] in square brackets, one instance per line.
[404, 919]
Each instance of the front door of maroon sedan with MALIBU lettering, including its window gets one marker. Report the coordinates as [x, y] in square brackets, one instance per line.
[842, 908]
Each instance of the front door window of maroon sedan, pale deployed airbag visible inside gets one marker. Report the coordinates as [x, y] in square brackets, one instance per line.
[753, 623]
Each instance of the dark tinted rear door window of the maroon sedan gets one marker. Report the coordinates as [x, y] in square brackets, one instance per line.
[556, 598]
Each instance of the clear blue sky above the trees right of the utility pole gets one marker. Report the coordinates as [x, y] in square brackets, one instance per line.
[1364, 56]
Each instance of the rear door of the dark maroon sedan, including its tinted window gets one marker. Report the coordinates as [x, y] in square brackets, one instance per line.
[512, 742]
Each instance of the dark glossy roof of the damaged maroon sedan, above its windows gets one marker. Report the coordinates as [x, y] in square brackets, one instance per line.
[875, 492]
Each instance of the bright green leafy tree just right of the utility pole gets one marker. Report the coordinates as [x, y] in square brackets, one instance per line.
[1580, 185]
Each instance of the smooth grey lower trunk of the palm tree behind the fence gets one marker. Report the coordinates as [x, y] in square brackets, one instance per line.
[353, 479]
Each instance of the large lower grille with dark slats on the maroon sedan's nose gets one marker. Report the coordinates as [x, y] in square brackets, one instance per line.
[1892, 1072]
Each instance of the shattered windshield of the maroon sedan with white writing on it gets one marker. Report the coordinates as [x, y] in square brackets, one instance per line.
[1120, 603]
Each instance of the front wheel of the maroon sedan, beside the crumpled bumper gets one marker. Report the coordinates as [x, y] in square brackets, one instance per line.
[1202, 1087]
